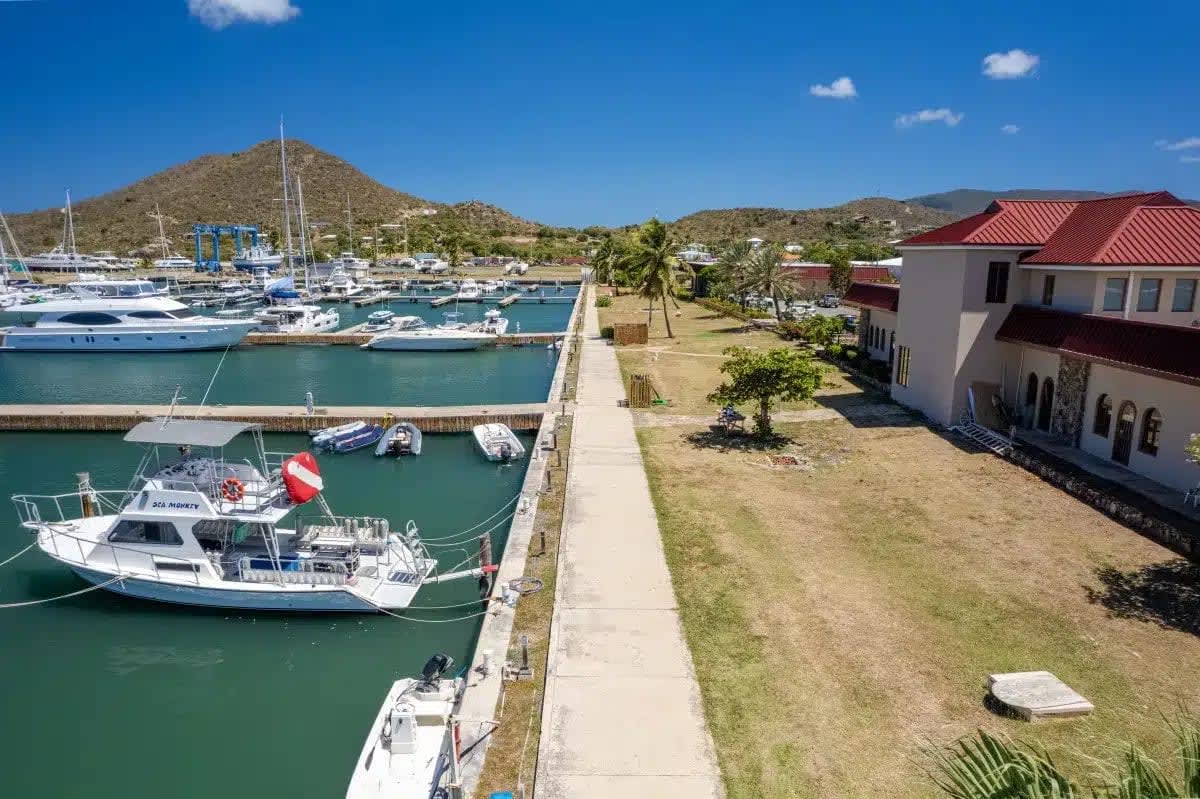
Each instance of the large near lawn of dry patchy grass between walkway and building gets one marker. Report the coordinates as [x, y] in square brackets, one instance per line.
[844, 615]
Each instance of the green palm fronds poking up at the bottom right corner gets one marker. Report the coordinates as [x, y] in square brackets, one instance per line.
[991, 767]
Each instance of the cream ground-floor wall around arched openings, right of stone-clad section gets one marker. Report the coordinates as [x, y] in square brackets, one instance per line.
[1178, 402]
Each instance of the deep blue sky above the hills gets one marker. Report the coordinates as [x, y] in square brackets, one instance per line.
[608, 113]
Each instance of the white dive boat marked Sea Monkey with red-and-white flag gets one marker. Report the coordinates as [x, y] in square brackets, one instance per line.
[196, 528]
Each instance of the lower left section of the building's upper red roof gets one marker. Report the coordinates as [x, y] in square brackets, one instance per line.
[1003, 224]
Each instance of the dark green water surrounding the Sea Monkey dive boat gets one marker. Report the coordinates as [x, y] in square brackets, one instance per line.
[111, 698]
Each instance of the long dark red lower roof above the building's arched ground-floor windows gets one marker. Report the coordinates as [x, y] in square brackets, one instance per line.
[1169, 352]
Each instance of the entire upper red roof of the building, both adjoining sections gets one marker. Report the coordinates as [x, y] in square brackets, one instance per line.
[1149, 230]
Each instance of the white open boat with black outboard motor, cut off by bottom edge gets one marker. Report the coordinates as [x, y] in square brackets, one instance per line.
[411, 752]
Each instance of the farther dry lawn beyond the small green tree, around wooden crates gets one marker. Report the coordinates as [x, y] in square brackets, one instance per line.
[685, 369]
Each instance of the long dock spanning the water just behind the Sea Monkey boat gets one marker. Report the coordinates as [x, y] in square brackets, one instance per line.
[283, 419]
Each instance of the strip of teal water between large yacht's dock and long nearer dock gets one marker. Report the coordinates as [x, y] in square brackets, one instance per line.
[337, 376]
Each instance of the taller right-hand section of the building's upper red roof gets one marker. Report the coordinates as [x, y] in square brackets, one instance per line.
[1150, 230]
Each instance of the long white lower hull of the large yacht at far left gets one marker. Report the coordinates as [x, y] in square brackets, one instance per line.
[45, 340]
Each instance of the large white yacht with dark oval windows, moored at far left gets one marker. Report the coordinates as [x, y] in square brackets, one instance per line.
[118, 316]
